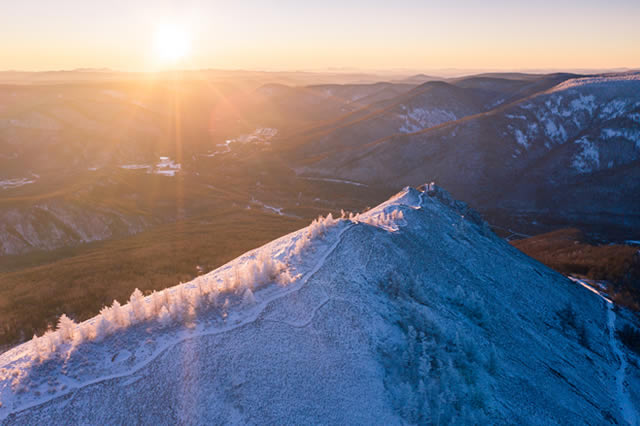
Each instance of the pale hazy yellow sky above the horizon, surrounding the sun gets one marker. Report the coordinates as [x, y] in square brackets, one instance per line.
[307, 34]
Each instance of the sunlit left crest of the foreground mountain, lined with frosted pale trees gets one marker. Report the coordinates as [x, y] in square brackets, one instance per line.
[208, 304]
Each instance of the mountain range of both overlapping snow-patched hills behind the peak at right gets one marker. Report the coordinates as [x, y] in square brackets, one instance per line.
[557, 149]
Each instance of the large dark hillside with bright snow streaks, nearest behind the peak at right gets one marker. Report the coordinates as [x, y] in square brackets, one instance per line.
[552, 157]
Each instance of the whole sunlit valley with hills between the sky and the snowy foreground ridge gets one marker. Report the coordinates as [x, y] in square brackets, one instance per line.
[107, 186]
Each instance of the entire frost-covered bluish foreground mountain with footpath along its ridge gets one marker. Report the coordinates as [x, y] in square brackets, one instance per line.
[411, 312]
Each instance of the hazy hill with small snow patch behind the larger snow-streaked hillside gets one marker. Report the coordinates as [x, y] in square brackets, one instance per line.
[427, 105]
